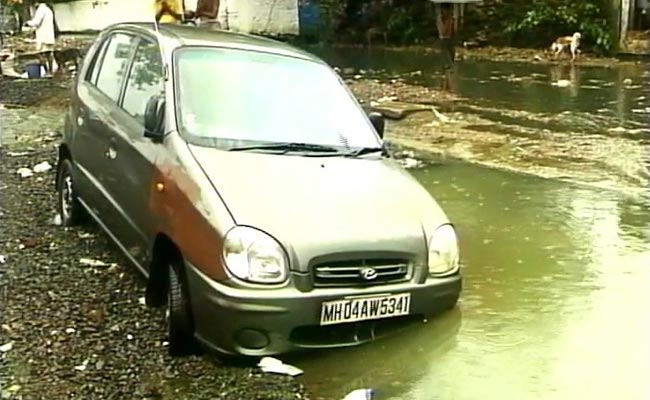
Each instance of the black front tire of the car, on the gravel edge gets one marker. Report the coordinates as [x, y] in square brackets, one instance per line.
[180, 323]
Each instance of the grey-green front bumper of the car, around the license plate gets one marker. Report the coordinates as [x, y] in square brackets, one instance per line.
[259, 322]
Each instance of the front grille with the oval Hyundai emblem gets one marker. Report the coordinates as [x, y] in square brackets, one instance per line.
[358, 272]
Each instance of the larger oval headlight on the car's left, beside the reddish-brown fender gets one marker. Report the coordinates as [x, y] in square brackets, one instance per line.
[254, 256]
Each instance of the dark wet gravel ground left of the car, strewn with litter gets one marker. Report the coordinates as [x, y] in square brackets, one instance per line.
[72, 331]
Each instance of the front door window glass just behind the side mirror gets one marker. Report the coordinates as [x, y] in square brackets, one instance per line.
[145, 79]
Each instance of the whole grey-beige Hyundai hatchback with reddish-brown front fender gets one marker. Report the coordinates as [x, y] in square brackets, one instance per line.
[246, 183]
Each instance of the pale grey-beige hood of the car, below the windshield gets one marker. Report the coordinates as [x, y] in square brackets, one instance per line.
[318, 206]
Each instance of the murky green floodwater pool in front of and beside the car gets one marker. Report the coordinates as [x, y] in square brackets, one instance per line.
[556, 302]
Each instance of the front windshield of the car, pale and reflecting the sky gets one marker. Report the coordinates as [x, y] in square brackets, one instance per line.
[252, 101]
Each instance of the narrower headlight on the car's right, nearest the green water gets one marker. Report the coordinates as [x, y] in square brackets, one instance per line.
[443, 251]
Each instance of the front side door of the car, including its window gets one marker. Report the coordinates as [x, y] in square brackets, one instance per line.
[130, 170]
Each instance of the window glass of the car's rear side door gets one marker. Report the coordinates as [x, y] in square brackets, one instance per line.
[114, 64]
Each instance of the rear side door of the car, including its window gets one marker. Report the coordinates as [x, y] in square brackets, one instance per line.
[98, 95]
